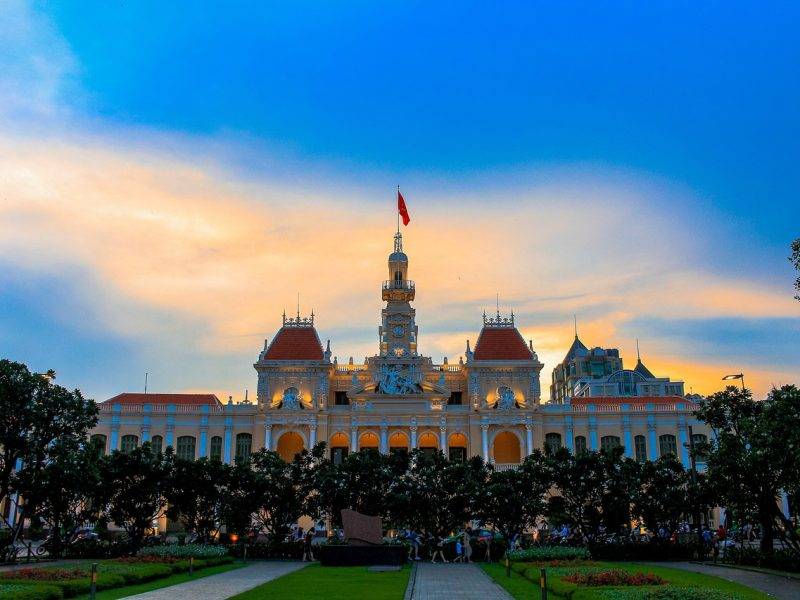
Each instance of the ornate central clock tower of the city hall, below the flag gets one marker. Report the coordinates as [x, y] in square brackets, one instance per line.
[398, 332]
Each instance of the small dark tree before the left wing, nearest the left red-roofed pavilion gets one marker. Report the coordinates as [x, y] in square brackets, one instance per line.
[196, 492]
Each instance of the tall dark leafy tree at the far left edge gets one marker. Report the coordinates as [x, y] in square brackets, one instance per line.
[34, 414]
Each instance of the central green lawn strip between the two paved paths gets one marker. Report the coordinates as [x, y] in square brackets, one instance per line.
[333, 583]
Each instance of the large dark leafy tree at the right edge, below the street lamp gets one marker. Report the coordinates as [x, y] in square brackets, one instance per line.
[754, 455]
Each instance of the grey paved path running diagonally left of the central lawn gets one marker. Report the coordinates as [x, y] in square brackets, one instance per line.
[223, 585]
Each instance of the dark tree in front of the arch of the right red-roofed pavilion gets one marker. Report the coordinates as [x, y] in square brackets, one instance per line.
[511, 501]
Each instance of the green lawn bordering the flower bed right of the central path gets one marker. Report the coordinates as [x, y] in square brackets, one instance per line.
[519, 587]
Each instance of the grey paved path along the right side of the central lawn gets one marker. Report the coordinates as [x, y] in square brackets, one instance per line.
[448, 581]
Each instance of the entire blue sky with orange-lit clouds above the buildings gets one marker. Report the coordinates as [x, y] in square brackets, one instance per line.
[172, 175]
